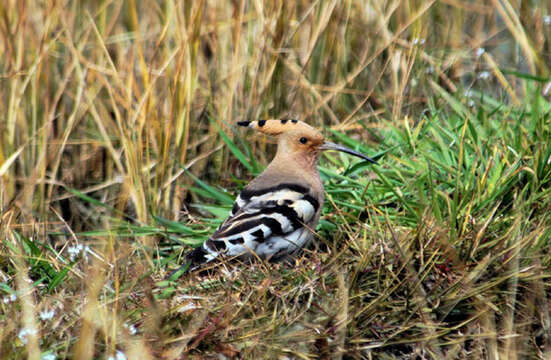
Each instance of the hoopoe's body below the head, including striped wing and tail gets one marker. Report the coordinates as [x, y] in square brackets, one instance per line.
[272, 217]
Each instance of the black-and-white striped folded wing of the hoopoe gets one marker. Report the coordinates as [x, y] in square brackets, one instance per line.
[261, 215]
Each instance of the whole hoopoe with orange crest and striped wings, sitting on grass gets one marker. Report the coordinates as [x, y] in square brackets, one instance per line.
[276, 213]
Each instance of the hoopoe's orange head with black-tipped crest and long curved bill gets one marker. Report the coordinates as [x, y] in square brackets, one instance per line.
[298, 139]
